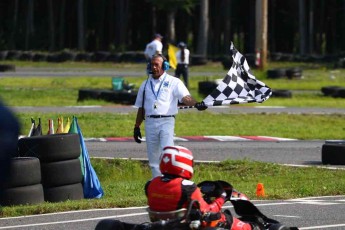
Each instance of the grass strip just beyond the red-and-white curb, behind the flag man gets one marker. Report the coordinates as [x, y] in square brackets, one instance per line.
[205, 123]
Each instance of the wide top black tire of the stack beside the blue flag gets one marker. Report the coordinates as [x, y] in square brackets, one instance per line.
[49, 148]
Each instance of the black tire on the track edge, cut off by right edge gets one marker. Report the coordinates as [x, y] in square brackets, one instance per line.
[333, 154]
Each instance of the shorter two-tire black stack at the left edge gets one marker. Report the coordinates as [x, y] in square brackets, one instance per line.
[24, 183]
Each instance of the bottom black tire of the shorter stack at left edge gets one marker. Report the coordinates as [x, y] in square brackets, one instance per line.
[32, 194]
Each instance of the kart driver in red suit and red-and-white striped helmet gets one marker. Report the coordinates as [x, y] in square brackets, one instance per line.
[174, 190]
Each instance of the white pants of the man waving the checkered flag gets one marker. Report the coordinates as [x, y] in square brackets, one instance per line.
[159, 133]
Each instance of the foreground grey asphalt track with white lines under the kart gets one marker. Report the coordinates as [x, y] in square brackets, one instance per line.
[307, 213]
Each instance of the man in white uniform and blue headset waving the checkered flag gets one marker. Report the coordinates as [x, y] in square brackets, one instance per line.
[157, 103]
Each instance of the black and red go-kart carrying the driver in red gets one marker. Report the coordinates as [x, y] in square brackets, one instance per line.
[193, 218]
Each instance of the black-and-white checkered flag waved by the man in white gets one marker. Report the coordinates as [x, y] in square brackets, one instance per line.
[239, 85]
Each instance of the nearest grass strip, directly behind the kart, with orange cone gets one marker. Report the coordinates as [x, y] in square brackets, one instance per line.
[123, 183]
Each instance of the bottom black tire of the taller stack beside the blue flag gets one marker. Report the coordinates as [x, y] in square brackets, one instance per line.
[63, 193]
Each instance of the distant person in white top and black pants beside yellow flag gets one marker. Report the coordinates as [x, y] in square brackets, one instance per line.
[182, 56]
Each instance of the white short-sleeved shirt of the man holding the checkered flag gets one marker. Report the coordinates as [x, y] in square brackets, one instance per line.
[170, 90]
